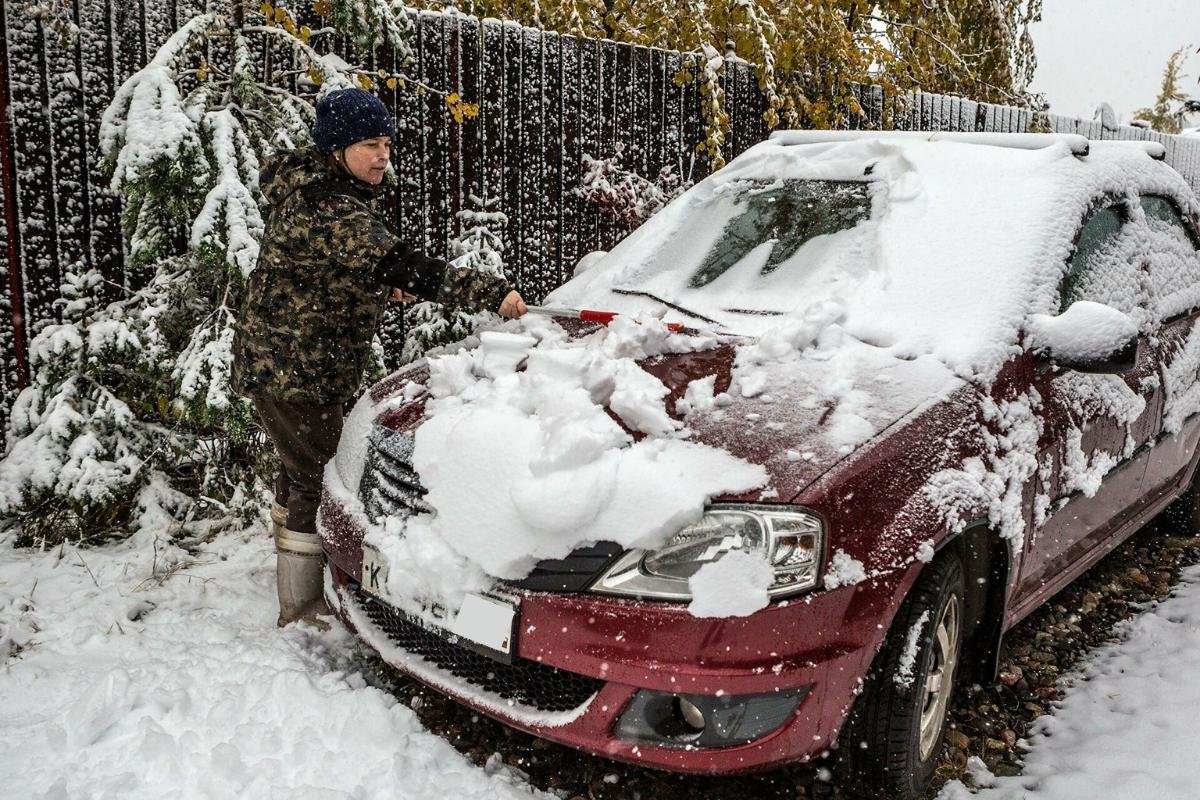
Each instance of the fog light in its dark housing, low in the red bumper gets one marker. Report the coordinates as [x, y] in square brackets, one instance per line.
[706, 720]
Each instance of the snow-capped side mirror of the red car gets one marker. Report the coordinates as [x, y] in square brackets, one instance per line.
[1087, 338]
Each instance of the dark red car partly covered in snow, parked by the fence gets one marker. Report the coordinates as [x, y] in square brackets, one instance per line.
[969, 366]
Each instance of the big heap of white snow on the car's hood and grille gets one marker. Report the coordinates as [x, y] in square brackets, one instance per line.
[527, 428]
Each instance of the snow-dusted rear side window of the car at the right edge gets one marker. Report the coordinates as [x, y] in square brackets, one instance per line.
[1173, 260]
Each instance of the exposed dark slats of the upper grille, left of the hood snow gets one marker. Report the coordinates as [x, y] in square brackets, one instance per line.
[391, 488]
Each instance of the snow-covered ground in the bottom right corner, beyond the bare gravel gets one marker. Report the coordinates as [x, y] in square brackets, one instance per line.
[1129, 729]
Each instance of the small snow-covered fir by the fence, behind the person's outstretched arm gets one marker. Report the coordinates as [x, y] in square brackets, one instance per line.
[478, 248]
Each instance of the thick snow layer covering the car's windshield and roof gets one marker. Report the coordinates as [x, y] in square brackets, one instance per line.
[963, 243]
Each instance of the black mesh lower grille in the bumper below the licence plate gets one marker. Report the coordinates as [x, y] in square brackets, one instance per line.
[526, 683]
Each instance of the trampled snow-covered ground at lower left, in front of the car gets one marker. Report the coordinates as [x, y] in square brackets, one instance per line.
[137, 671]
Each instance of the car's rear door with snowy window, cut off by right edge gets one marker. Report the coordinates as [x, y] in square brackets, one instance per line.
[1173, 260]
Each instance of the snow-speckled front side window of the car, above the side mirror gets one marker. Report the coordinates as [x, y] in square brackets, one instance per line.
[1105, 266]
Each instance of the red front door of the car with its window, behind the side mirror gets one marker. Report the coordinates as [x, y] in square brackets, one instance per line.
[1097, 429]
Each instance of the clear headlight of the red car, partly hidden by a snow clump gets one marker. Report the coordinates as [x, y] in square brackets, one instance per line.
[790, 539]
